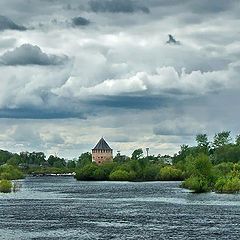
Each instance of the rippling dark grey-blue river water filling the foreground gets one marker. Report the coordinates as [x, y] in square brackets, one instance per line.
[62, 208]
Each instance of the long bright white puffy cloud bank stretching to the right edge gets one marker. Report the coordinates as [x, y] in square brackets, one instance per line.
[165, 80]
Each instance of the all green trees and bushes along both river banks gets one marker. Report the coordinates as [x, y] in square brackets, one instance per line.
[207, 166]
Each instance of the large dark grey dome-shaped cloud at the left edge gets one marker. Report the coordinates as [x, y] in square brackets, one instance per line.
[28, 54]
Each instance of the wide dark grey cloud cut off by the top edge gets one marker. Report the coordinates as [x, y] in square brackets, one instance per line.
[117, 6]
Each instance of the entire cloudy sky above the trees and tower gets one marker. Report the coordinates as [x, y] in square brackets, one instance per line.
[74, 71]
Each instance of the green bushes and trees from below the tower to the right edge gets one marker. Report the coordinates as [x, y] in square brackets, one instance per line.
[207, 166]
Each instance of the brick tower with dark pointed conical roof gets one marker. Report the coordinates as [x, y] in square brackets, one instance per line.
[102, 153]
